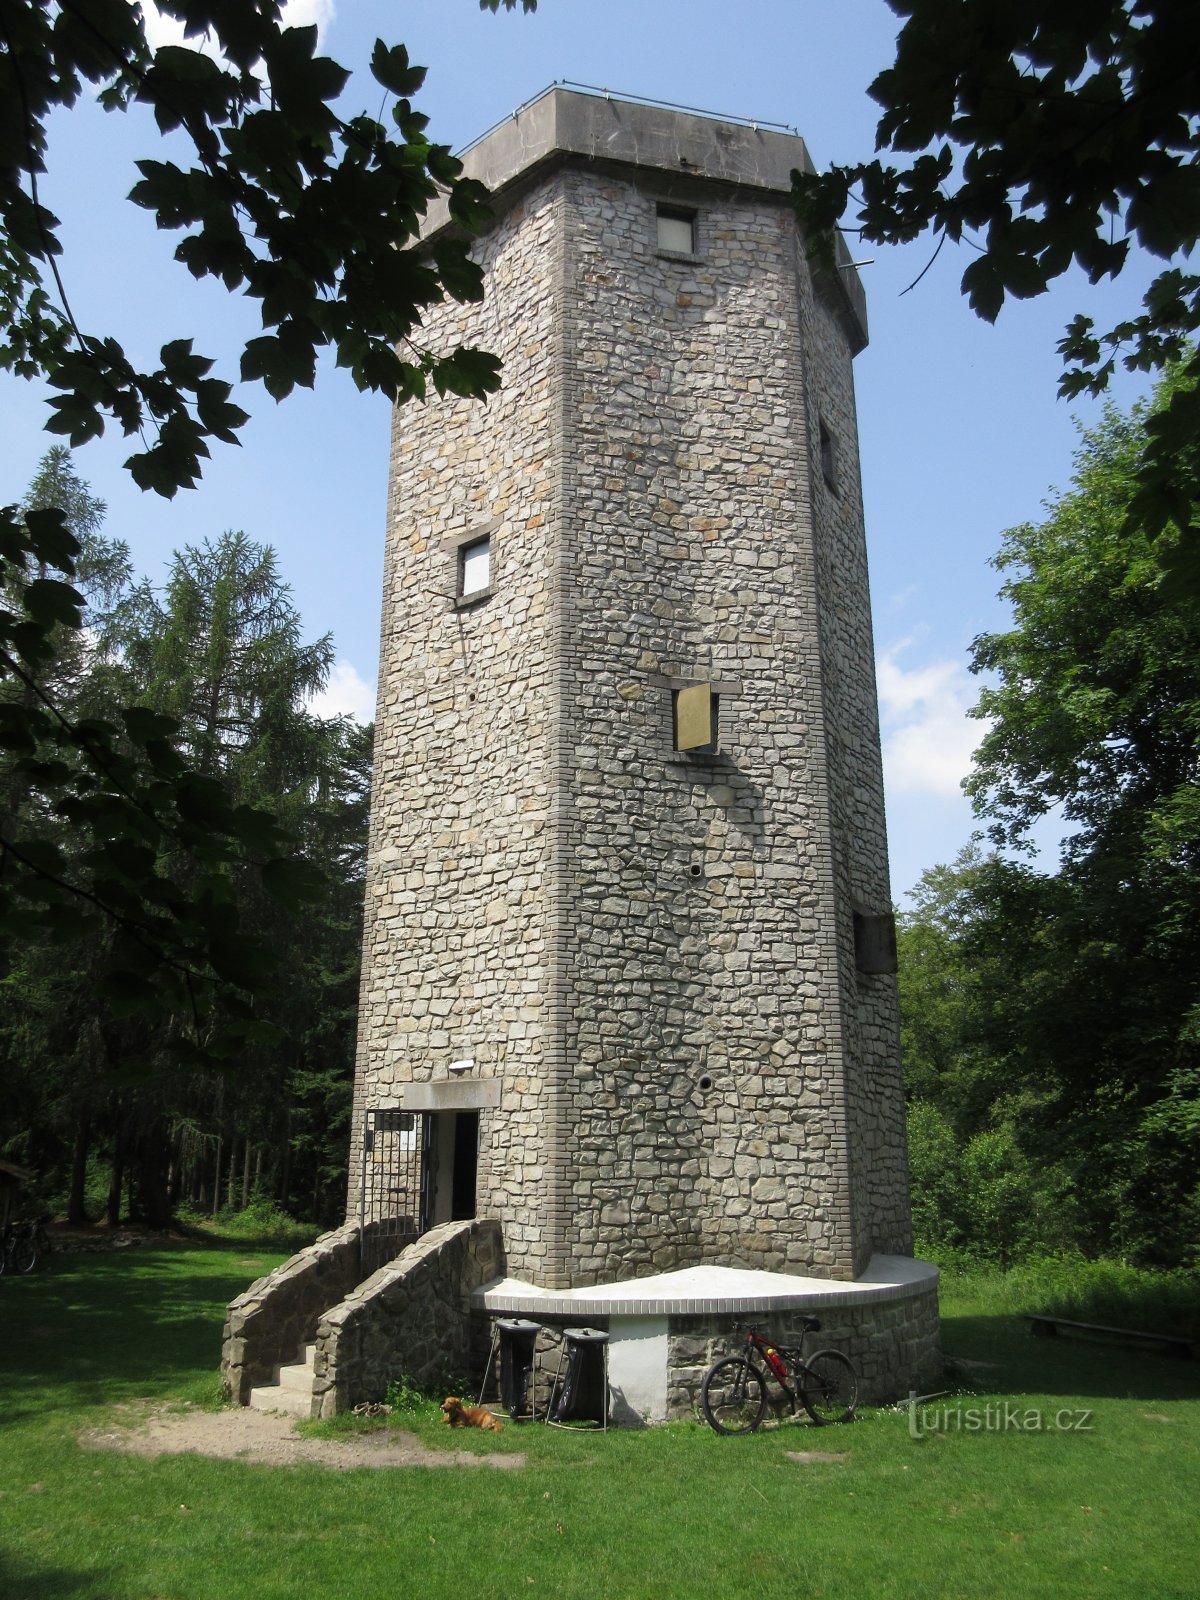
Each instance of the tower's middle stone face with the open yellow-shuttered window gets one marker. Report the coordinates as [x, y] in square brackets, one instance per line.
[710, 1028]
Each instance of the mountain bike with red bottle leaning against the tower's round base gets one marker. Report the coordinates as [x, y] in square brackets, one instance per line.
[734, 1394]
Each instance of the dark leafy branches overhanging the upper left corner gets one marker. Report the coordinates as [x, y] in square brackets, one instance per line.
[314, 215]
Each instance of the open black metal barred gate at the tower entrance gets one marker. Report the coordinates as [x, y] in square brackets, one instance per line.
[393, 1198]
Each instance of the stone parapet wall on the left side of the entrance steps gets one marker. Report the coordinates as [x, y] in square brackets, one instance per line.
[271, 1322]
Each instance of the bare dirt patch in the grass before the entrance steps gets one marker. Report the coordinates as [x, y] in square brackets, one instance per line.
[241, 1434]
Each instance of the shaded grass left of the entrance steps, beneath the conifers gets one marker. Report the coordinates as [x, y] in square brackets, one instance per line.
[95, 1330]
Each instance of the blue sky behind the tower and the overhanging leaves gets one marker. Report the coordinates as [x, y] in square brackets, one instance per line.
[962, 434]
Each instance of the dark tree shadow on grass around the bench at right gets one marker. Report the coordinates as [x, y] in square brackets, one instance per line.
[1017, 1362]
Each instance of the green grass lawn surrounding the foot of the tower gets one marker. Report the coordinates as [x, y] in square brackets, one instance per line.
[678, 1511]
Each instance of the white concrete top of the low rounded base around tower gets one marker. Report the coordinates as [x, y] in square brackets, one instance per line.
[697, 1292]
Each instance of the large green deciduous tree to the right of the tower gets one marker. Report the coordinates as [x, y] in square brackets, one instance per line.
[1063, 1010]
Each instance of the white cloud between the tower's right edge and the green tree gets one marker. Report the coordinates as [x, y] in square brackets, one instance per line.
[929, 738]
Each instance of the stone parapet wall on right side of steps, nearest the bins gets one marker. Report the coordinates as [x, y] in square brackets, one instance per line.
[409, 1319]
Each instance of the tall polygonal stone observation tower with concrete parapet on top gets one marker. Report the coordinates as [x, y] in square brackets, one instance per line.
[628, 980]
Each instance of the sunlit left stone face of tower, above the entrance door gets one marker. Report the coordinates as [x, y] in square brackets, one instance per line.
[457, 938]
